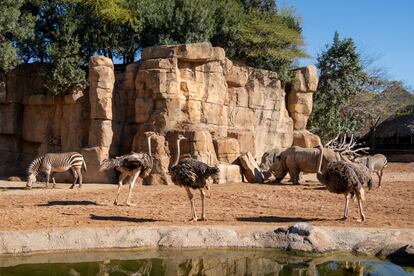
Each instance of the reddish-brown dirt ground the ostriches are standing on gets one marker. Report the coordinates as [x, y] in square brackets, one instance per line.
[229, 204]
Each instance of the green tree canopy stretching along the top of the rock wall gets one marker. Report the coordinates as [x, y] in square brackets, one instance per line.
[67, 32]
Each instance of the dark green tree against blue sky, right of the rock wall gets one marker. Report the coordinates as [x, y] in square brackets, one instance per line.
[341, 77]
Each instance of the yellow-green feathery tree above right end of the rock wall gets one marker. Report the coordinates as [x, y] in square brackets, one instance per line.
[270, 41]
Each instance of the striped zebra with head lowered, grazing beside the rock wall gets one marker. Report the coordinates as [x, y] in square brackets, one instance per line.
[51, 163]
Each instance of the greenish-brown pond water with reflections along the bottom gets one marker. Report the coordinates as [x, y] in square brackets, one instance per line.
[196, 262]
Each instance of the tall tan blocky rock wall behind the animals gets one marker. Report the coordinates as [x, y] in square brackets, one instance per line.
[223, 109]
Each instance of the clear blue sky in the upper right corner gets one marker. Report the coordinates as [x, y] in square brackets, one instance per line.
[380, 28]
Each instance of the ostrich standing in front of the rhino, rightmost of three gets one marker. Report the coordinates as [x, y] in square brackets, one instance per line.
[346, 178]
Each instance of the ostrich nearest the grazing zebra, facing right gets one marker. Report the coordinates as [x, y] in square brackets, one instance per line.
[131, 165]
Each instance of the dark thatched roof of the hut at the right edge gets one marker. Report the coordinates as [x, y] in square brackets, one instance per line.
[402, 126]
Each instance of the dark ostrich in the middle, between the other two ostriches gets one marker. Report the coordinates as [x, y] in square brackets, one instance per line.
[191, 173]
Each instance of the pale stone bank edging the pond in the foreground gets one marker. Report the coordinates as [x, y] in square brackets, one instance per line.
[301, 237]
